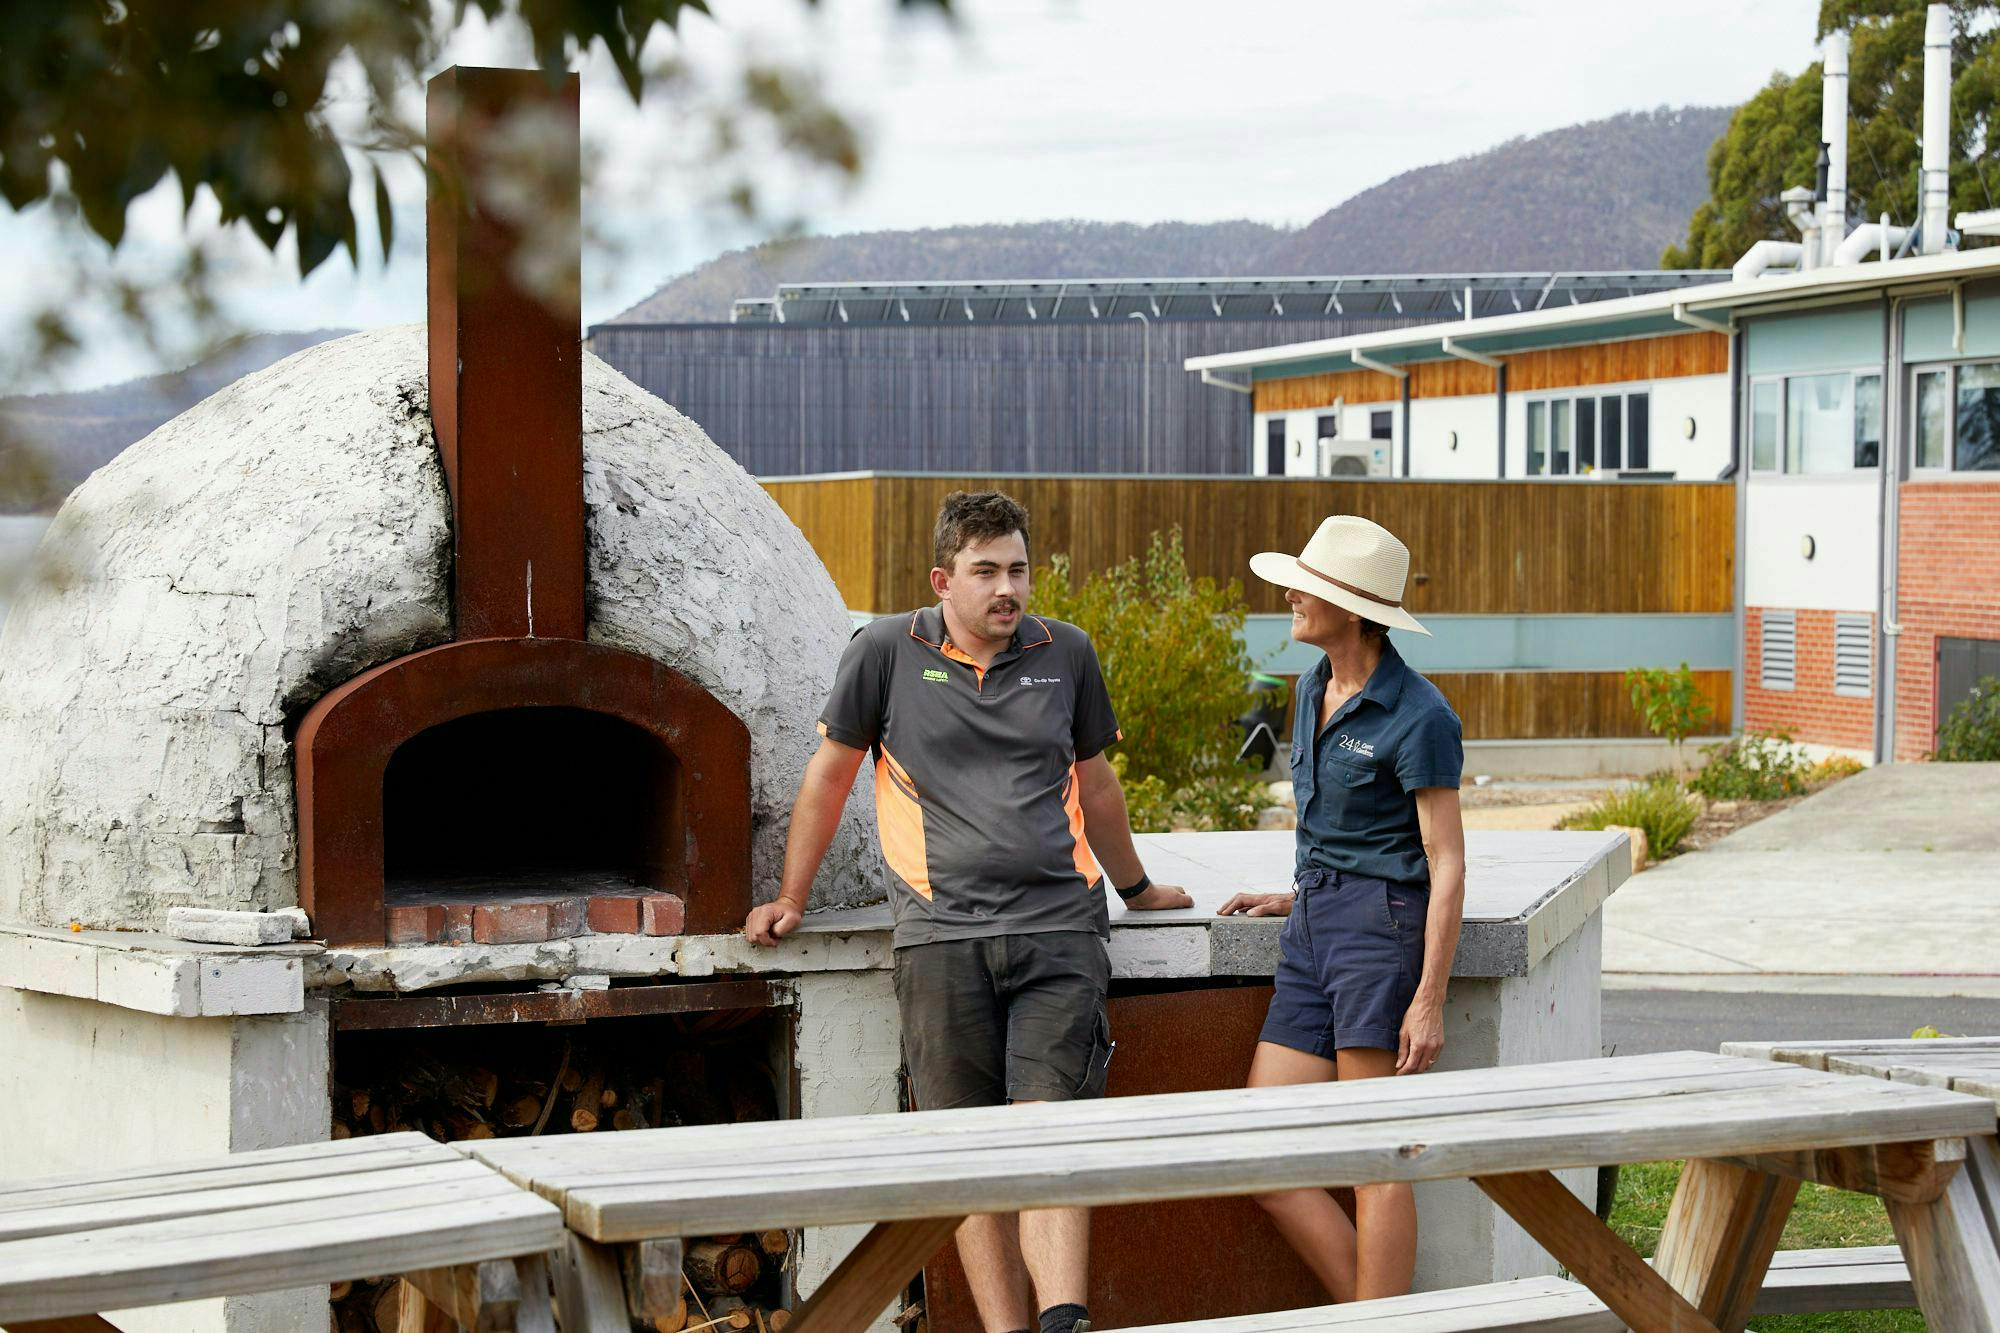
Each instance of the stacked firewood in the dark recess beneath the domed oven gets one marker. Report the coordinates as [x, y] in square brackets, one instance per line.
[507, 1082]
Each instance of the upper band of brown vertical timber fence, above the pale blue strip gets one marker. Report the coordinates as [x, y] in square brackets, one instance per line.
[1523, 547]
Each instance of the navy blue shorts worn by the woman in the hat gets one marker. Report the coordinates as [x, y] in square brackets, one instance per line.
[1353, 952]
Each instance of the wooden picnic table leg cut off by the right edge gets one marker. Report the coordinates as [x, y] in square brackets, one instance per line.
[1953, 1246]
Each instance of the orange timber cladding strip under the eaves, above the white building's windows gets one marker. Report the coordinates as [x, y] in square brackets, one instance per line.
[1563, 367]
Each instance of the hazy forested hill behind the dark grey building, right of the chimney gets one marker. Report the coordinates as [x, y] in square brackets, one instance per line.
[1603, 195]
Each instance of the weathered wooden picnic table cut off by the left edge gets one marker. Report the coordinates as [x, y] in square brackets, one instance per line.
[267, 1222]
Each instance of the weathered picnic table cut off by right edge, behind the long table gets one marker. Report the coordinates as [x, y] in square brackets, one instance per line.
[1953, 1248]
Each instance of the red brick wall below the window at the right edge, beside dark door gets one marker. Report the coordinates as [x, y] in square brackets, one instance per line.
[1949, 583]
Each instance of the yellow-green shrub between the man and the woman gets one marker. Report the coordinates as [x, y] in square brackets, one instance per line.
[1173, 657]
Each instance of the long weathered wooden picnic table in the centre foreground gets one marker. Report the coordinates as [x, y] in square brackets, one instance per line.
[1753, 1130]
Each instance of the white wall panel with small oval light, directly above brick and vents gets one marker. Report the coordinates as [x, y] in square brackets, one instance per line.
[1841, 517]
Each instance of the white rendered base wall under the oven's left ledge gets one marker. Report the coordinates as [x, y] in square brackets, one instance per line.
[93, 1088]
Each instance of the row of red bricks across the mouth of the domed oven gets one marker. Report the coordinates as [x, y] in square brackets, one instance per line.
[525, 908]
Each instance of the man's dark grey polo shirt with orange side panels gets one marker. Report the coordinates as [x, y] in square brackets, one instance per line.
[977, 792]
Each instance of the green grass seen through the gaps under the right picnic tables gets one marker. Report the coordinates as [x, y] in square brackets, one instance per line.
[1821, 1220]
